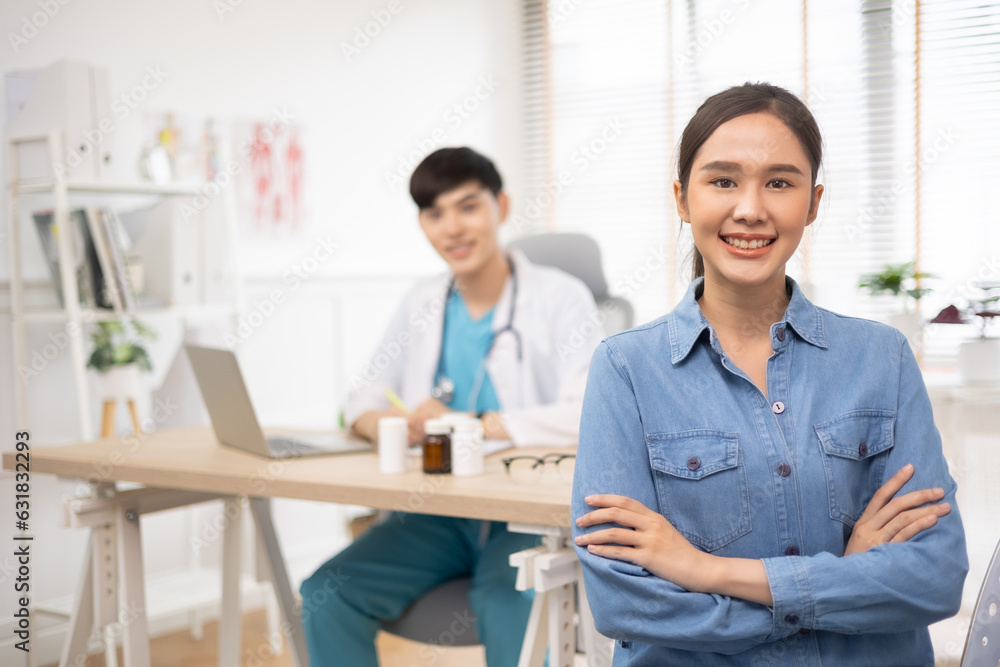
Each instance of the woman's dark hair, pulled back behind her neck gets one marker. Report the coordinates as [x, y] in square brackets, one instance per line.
[740, 101]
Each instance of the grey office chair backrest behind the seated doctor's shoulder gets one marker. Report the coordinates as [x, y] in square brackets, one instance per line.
[580, 256]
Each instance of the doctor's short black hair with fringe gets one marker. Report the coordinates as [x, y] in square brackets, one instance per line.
[447, 168]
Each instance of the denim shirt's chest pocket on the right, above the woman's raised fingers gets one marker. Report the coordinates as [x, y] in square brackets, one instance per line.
[854, 449]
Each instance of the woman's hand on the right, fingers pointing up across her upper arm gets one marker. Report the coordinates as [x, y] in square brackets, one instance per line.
[890, 519]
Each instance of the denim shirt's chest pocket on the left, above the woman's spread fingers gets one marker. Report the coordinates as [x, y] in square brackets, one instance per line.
[701, 484]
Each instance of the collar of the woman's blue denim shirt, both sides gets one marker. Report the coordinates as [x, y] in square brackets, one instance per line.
[686, 322]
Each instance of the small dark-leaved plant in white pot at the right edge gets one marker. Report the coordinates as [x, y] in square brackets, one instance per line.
[979, 358]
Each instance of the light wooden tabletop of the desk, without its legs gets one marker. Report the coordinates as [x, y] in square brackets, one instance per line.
[193, 460]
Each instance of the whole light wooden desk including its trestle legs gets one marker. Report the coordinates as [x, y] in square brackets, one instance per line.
[186, 466]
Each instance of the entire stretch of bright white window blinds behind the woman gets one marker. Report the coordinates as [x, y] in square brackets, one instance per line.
[611, 84]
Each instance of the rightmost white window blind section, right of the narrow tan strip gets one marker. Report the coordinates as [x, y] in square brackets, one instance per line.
[959, 147]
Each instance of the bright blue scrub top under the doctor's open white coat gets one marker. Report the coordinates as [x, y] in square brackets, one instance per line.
[463, 357]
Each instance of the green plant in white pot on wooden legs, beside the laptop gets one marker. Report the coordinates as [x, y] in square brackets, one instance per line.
[118, 358]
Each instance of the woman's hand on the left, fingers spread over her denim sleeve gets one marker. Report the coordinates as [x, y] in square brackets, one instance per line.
[651, 543]
